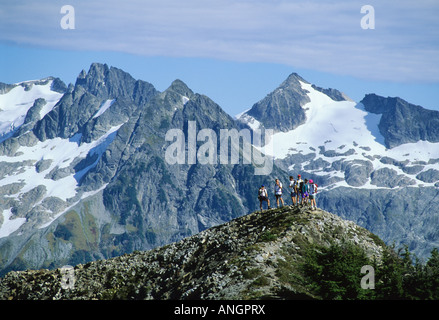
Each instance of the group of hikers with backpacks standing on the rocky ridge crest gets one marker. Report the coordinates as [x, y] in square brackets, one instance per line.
[303, 193]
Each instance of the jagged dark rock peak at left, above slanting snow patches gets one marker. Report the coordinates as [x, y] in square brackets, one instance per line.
[78, 106]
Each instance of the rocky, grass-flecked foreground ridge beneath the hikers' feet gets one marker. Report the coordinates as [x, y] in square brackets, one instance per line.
[254, 256]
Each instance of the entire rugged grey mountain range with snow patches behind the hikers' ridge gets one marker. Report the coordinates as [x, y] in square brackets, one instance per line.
[84, 176]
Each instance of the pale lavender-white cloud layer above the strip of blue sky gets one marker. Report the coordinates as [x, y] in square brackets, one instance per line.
[319, 35]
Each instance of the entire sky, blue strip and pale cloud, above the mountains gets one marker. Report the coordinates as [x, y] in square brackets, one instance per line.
[234, 51]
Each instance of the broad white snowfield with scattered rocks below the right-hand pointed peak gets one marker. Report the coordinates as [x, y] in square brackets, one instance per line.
[341, 143]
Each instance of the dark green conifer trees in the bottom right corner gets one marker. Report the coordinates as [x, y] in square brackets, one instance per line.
[335, 273]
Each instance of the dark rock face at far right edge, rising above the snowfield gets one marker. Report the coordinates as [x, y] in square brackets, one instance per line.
[402, 122]
